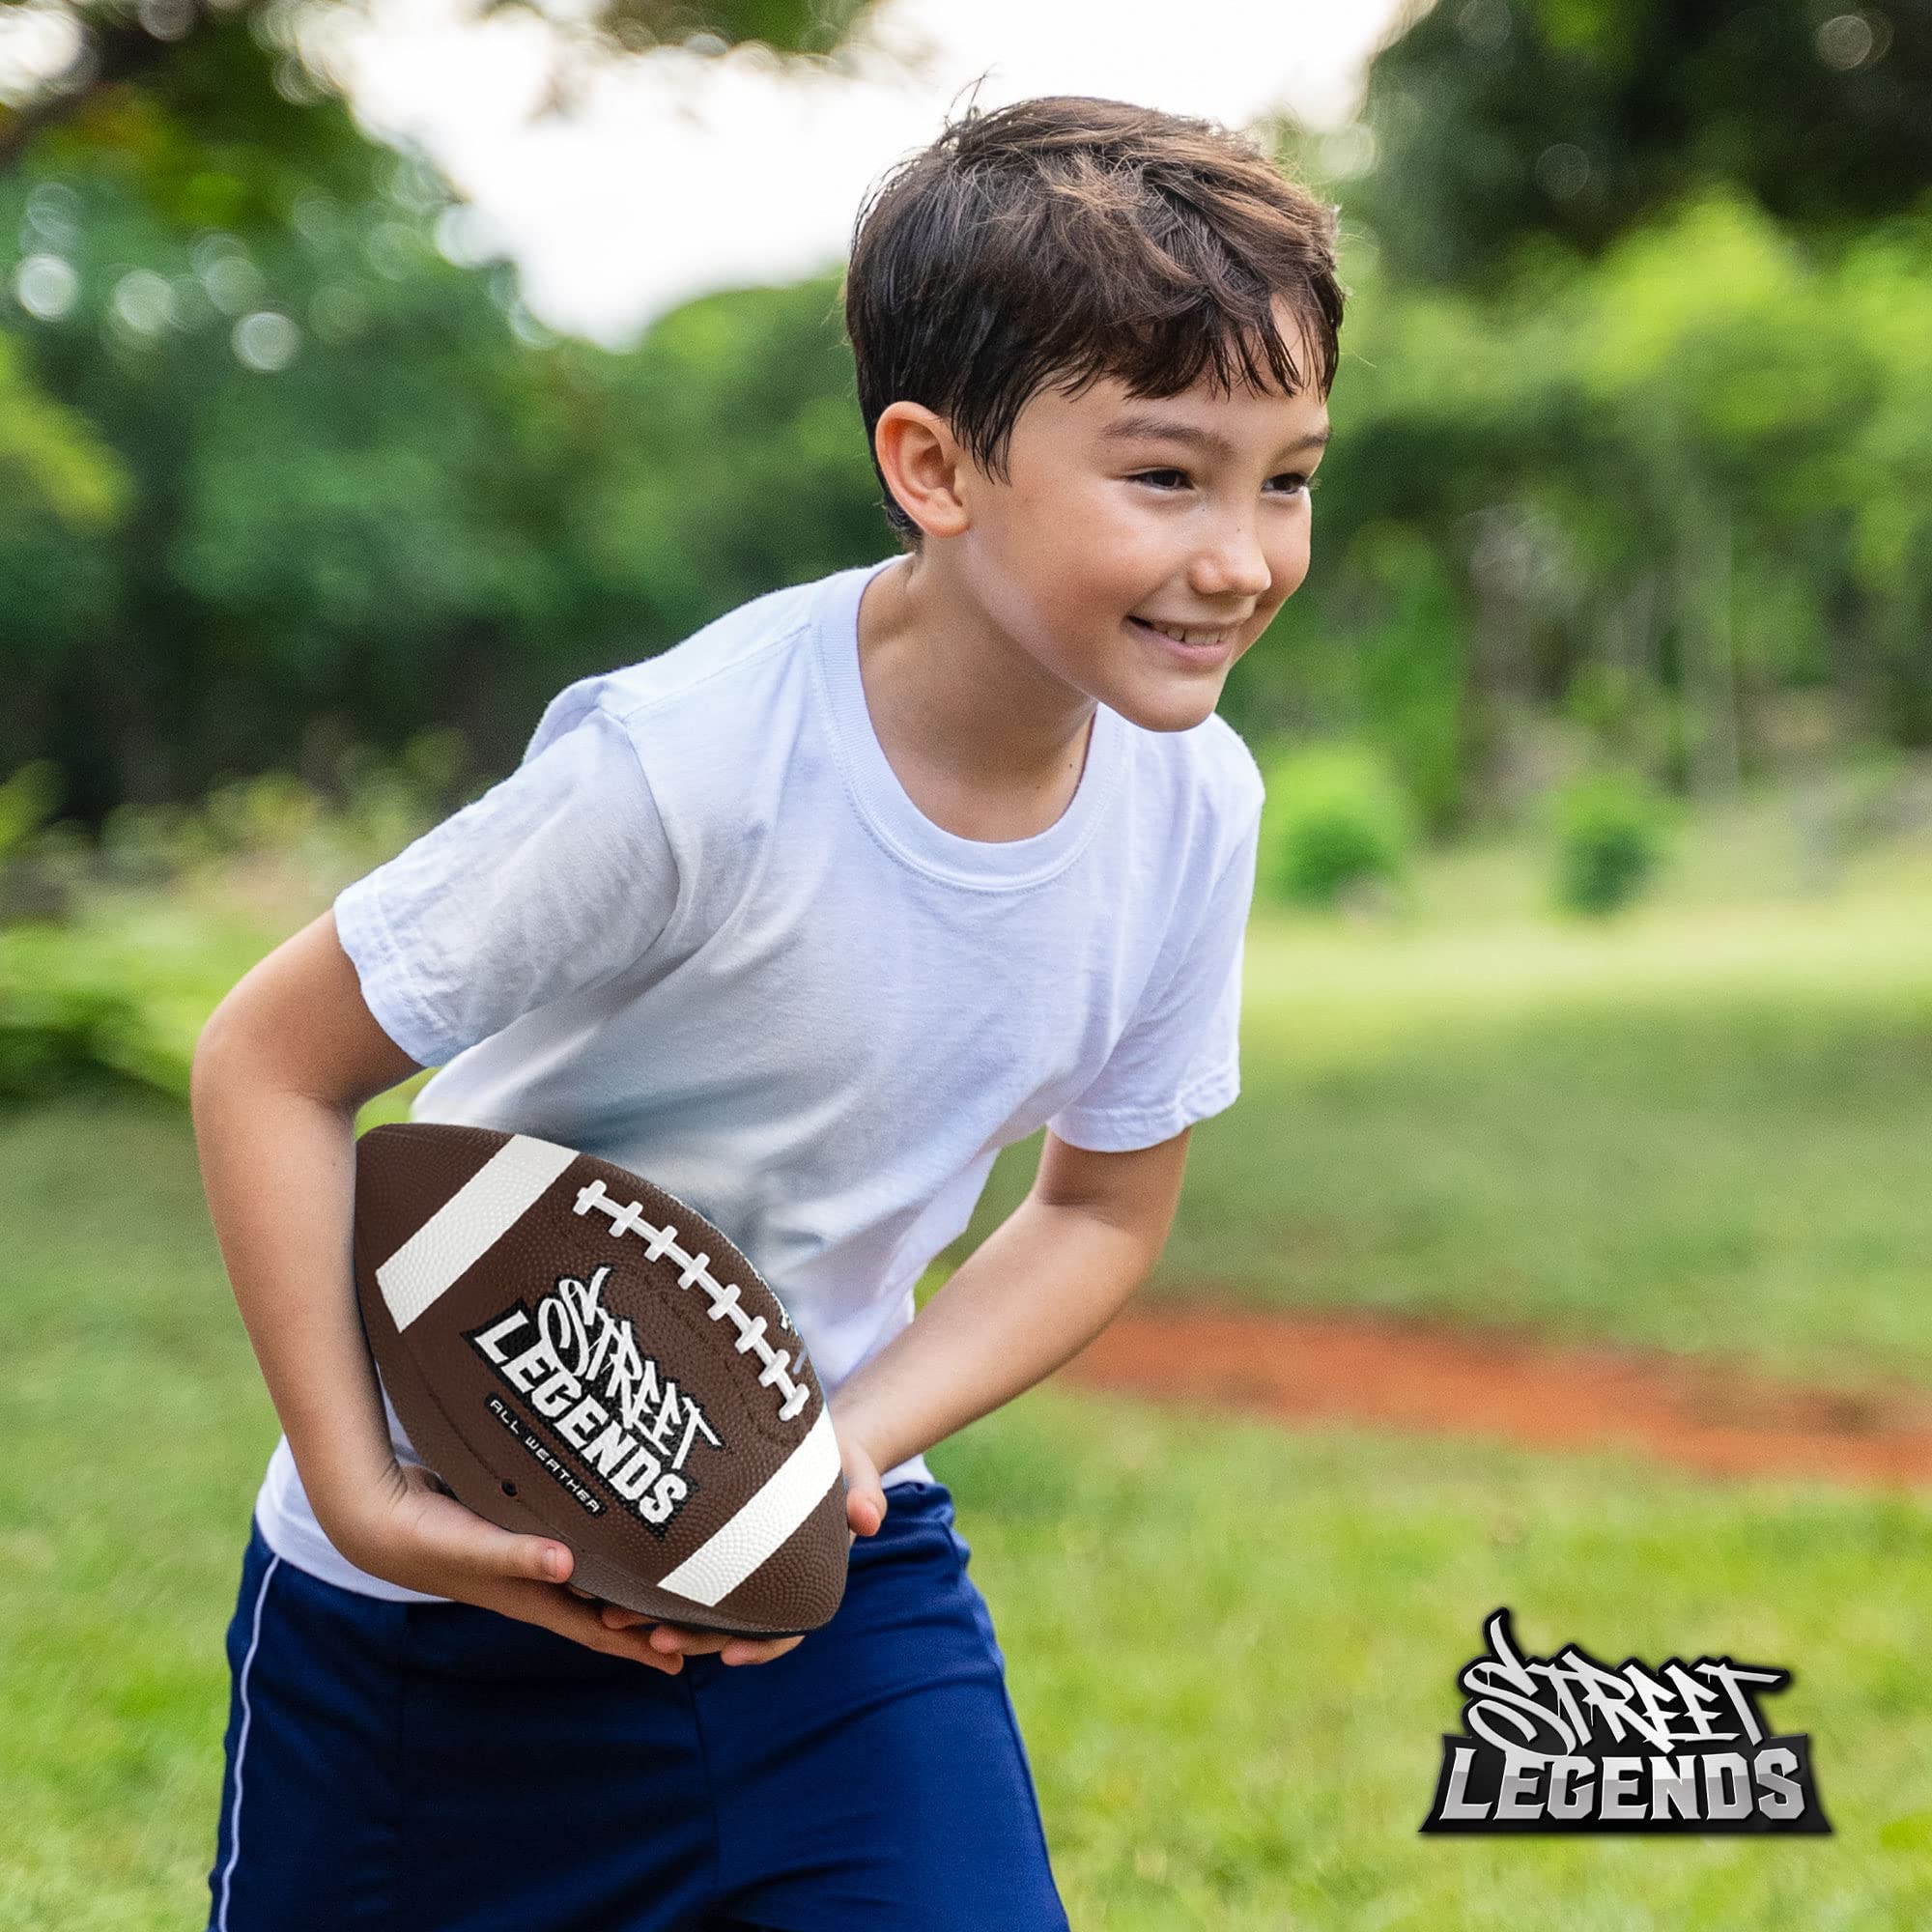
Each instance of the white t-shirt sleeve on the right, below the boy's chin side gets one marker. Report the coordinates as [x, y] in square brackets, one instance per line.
[1179, 1058]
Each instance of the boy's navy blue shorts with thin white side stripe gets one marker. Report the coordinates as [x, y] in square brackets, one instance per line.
[447, 1769]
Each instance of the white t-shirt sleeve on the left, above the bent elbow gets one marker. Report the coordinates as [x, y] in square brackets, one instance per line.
[550, 884]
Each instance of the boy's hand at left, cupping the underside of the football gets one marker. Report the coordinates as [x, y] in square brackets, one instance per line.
[411, 1531]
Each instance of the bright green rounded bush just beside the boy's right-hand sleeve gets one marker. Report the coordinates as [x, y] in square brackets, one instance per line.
[1336, 820]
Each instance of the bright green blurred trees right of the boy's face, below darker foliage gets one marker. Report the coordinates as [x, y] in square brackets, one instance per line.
[1672, 503]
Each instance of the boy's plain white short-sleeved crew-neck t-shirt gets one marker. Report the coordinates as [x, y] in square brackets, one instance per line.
[706, 934]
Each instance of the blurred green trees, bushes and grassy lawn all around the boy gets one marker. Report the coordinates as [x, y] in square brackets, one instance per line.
[1589, 986]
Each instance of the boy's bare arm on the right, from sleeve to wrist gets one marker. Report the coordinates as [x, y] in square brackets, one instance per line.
[1033, 1295]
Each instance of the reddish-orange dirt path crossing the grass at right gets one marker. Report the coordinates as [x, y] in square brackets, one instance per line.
[1431, 1378]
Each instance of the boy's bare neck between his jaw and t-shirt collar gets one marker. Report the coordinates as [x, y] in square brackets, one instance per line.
[984, 741]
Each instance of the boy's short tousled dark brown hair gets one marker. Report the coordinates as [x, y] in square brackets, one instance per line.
[1065, 239]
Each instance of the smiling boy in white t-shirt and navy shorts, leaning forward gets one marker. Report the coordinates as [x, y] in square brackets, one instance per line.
[805, 919]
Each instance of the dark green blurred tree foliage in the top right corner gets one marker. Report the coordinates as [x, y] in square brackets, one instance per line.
[1576, 121]
